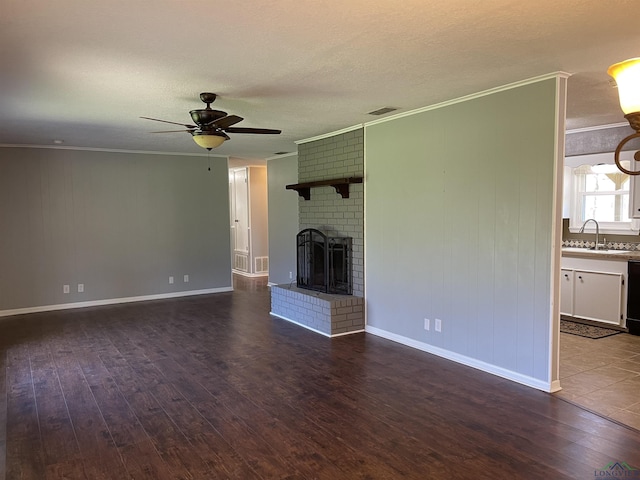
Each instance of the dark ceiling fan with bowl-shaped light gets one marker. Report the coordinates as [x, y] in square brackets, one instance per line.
[211, 126]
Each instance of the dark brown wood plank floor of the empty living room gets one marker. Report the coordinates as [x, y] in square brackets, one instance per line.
[212, 387]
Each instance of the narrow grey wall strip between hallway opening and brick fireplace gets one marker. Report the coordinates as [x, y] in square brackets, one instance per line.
[283, 218]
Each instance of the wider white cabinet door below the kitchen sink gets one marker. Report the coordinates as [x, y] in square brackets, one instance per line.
[597, 296]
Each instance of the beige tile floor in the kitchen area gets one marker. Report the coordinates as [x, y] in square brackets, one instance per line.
[602, 375]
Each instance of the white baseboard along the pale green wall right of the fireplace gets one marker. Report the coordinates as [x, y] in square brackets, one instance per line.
[464, 360]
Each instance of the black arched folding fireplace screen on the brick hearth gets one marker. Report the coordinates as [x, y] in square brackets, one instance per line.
[324, 263]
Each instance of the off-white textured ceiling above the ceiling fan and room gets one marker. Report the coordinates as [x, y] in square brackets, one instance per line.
[84, 71]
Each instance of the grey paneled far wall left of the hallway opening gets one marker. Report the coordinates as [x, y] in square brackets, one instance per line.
[119, 223]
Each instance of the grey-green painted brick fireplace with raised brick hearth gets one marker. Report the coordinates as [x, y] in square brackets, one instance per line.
[338, 156]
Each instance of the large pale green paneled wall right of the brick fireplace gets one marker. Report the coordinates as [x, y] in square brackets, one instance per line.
[459, 204]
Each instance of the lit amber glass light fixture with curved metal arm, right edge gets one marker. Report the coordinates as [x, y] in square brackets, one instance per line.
[627, 77]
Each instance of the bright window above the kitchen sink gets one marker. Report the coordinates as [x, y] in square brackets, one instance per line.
[599, 191]
